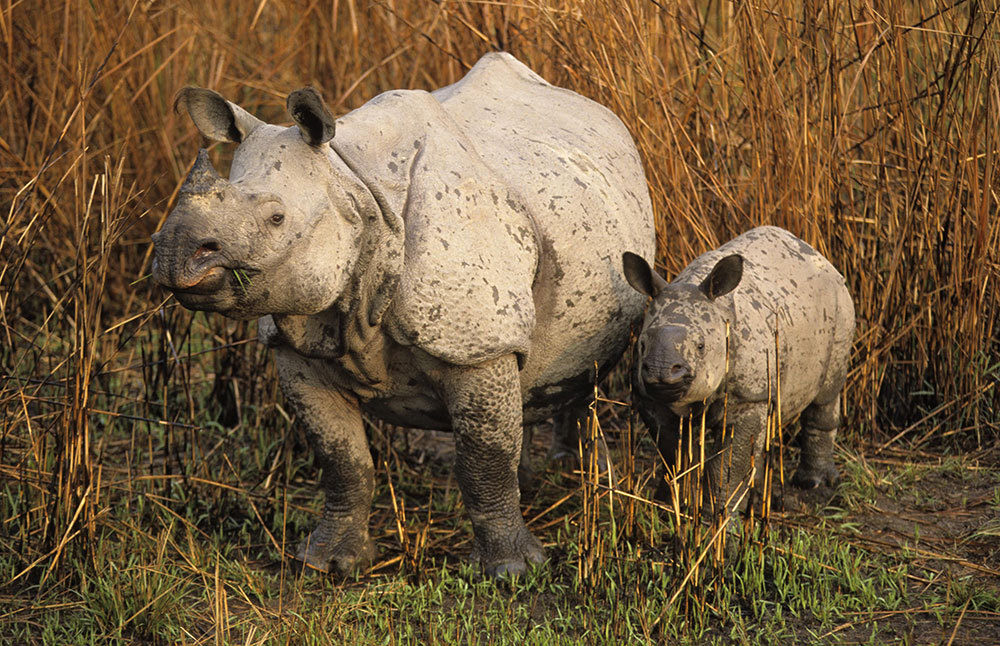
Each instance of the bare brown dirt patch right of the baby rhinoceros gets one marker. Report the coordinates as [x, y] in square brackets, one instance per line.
[941, 518]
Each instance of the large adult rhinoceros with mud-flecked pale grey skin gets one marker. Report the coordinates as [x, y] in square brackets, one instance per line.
[444, 260]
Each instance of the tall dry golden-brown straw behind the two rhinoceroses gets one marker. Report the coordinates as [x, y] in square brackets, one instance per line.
[870, 131]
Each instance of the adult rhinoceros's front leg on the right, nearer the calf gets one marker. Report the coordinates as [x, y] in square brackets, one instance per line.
[484, 402]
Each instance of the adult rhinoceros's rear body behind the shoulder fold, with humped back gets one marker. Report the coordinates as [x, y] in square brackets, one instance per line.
[577, 170]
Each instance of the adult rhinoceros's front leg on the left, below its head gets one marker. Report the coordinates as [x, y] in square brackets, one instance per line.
[340, 543]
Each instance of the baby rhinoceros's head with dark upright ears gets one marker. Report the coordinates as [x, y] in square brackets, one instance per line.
[681, 353]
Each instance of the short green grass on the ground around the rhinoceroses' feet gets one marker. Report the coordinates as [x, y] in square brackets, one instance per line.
[183, 559]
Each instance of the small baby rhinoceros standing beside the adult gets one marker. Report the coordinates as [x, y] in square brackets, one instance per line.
[709, 343]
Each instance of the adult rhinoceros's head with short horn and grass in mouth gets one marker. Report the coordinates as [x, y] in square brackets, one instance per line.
[281, 235]
